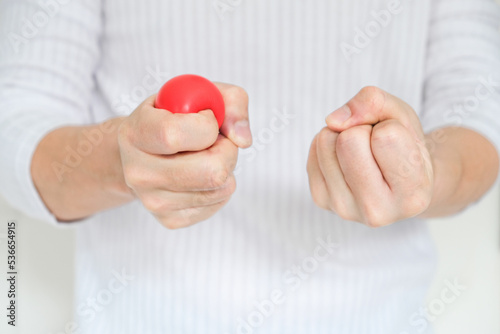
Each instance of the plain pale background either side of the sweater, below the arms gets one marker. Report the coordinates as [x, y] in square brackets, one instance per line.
[468, 245]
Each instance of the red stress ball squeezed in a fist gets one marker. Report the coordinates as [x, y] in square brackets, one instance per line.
[190, 93]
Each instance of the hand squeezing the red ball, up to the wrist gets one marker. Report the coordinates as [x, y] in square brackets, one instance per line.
[178, 165]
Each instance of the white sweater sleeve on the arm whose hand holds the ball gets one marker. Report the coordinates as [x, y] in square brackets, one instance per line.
[50, 50]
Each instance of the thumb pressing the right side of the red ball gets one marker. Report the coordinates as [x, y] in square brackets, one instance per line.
[236, 126]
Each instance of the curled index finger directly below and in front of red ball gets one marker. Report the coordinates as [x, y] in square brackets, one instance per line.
[158, 131]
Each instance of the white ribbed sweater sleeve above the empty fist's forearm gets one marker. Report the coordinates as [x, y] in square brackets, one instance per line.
[462, 79]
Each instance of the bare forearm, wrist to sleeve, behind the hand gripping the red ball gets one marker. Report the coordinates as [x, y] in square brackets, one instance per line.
[77, 171]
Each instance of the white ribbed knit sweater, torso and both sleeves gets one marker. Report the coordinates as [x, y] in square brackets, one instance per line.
[98, 59]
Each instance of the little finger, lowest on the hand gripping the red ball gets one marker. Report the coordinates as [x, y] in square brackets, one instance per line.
[188, 217]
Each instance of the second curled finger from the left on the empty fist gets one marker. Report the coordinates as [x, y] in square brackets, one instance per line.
[341, 197]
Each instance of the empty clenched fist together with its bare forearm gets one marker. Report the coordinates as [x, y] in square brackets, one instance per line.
[373, 163]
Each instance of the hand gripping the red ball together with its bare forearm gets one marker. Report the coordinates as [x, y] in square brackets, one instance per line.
[177, 165]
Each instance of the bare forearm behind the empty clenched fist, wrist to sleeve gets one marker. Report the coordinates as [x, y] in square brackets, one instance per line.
[465, 166]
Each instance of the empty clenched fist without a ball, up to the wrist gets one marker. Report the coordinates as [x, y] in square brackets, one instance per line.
[370, 164]
